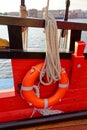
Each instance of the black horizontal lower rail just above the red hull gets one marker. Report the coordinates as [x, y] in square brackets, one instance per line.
[18, 54]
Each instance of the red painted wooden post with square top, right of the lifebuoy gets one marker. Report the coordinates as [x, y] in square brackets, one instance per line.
[78, 62]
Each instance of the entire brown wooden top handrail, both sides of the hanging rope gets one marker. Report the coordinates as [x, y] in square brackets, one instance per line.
[32, 22]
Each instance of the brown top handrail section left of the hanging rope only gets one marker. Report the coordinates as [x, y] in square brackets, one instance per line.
[19, 21]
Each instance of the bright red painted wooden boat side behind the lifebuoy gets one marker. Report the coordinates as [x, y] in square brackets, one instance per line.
[75, 98]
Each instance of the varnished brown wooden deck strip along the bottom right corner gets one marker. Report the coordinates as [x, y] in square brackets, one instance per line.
[67, 125]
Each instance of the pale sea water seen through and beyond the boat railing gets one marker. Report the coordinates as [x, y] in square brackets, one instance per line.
[36, 40]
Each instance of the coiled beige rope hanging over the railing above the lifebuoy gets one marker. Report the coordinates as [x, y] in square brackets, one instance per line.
[52, 66]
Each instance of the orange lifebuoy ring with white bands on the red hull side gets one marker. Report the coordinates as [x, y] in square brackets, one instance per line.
[29, 94]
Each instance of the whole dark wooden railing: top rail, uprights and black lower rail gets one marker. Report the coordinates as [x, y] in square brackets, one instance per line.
[15, 24]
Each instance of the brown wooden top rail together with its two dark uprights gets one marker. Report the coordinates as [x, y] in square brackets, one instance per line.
[15, 33]
